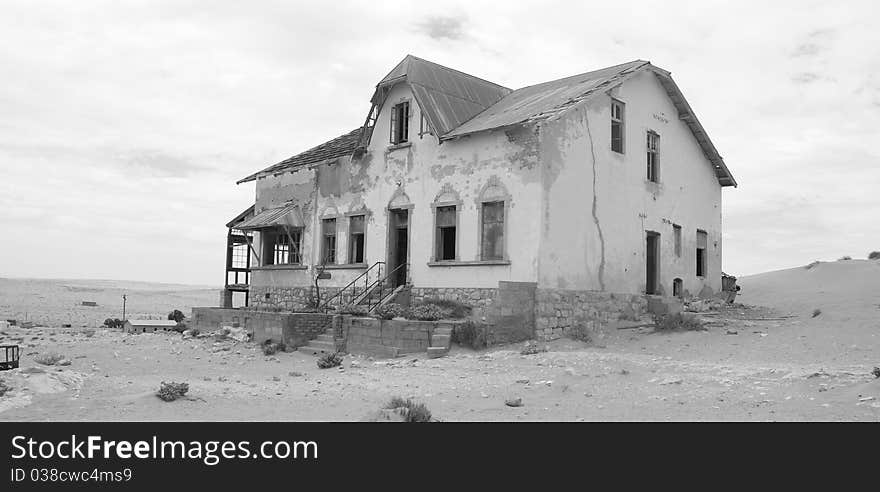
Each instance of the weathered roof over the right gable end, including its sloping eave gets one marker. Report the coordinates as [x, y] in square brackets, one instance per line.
[549, 99]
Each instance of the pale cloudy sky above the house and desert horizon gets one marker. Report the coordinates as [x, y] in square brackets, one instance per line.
[124, 125]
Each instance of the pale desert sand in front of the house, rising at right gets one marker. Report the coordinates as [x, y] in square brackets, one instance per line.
[770, 359]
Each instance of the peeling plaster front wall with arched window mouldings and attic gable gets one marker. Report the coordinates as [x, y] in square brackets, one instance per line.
[419, 171]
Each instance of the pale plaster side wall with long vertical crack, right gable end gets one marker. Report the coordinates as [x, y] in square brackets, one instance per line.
[626, 204]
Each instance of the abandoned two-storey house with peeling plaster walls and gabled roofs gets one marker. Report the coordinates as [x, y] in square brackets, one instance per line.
[561, 203]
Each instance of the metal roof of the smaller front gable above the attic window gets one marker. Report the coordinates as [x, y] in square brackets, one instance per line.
[447, 97]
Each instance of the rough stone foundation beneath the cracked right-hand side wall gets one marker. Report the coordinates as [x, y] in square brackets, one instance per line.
[558, 311]
